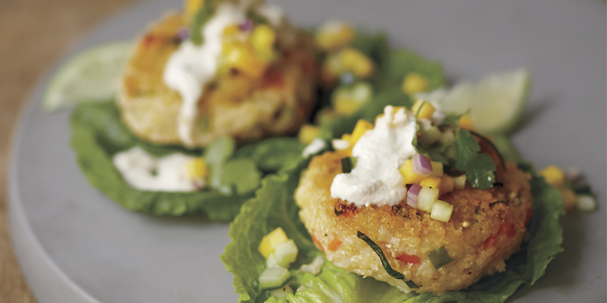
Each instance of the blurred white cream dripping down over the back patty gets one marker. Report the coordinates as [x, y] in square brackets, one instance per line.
[192, 66]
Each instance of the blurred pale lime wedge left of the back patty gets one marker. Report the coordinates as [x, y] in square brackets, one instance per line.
[92, 75]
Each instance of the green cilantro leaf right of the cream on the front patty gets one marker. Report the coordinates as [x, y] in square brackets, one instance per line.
[479, 168]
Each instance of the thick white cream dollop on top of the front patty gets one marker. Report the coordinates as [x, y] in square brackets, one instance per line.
[379, 154]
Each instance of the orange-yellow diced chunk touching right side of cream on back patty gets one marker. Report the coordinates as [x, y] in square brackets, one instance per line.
[242, 57]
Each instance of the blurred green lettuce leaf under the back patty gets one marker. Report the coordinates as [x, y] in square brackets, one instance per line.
[98, 133]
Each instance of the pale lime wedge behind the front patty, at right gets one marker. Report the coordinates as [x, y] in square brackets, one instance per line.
[496, 102]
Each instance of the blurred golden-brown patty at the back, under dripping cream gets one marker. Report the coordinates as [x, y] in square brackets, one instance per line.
[231, 105]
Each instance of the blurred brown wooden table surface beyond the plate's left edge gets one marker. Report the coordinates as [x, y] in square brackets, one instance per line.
[33, 33]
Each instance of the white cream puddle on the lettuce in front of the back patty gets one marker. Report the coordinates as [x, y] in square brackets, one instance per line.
[147, 172]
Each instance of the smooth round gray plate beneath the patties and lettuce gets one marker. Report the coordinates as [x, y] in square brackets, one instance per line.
[75, 245]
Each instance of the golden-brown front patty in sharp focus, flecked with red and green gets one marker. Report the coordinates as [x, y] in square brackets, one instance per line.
[485, 228]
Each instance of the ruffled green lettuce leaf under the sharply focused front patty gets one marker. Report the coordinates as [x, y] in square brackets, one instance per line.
[274, 206]
